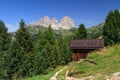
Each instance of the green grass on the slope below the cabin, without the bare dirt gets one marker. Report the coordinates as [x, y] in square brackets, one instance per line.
[107, 62]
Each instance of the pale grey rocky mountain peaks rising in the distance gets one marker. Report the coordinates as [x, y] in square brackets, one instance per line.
[65, 23]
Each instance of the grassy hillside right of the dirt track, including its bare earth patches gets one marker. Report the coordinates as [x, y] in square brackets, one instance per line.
[99, 65]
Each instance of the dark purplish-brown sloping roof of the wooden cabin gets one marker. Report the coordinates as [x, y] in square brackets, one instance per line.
[87, 44]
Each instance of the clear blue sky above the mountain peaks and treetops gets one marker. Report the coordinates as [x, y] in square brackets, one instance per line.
[89, 12]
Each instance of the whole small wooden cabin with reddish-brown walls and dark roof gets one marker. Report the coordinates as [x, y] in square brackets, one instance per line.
[81, 48]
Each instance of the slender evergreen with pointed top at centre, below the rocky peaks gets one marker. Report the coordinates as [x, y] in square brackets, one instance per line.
[50, 42]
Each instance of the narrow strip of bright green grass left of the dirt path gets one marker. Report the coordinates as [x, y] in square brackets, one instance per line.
[47, 76]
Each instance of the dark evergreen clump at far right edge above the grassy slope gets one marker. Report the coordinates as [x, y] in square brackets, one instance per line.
[111, 28]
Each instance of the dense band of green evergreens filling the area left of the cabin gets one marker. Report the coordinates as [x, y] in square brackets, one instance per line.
[23, 56]
